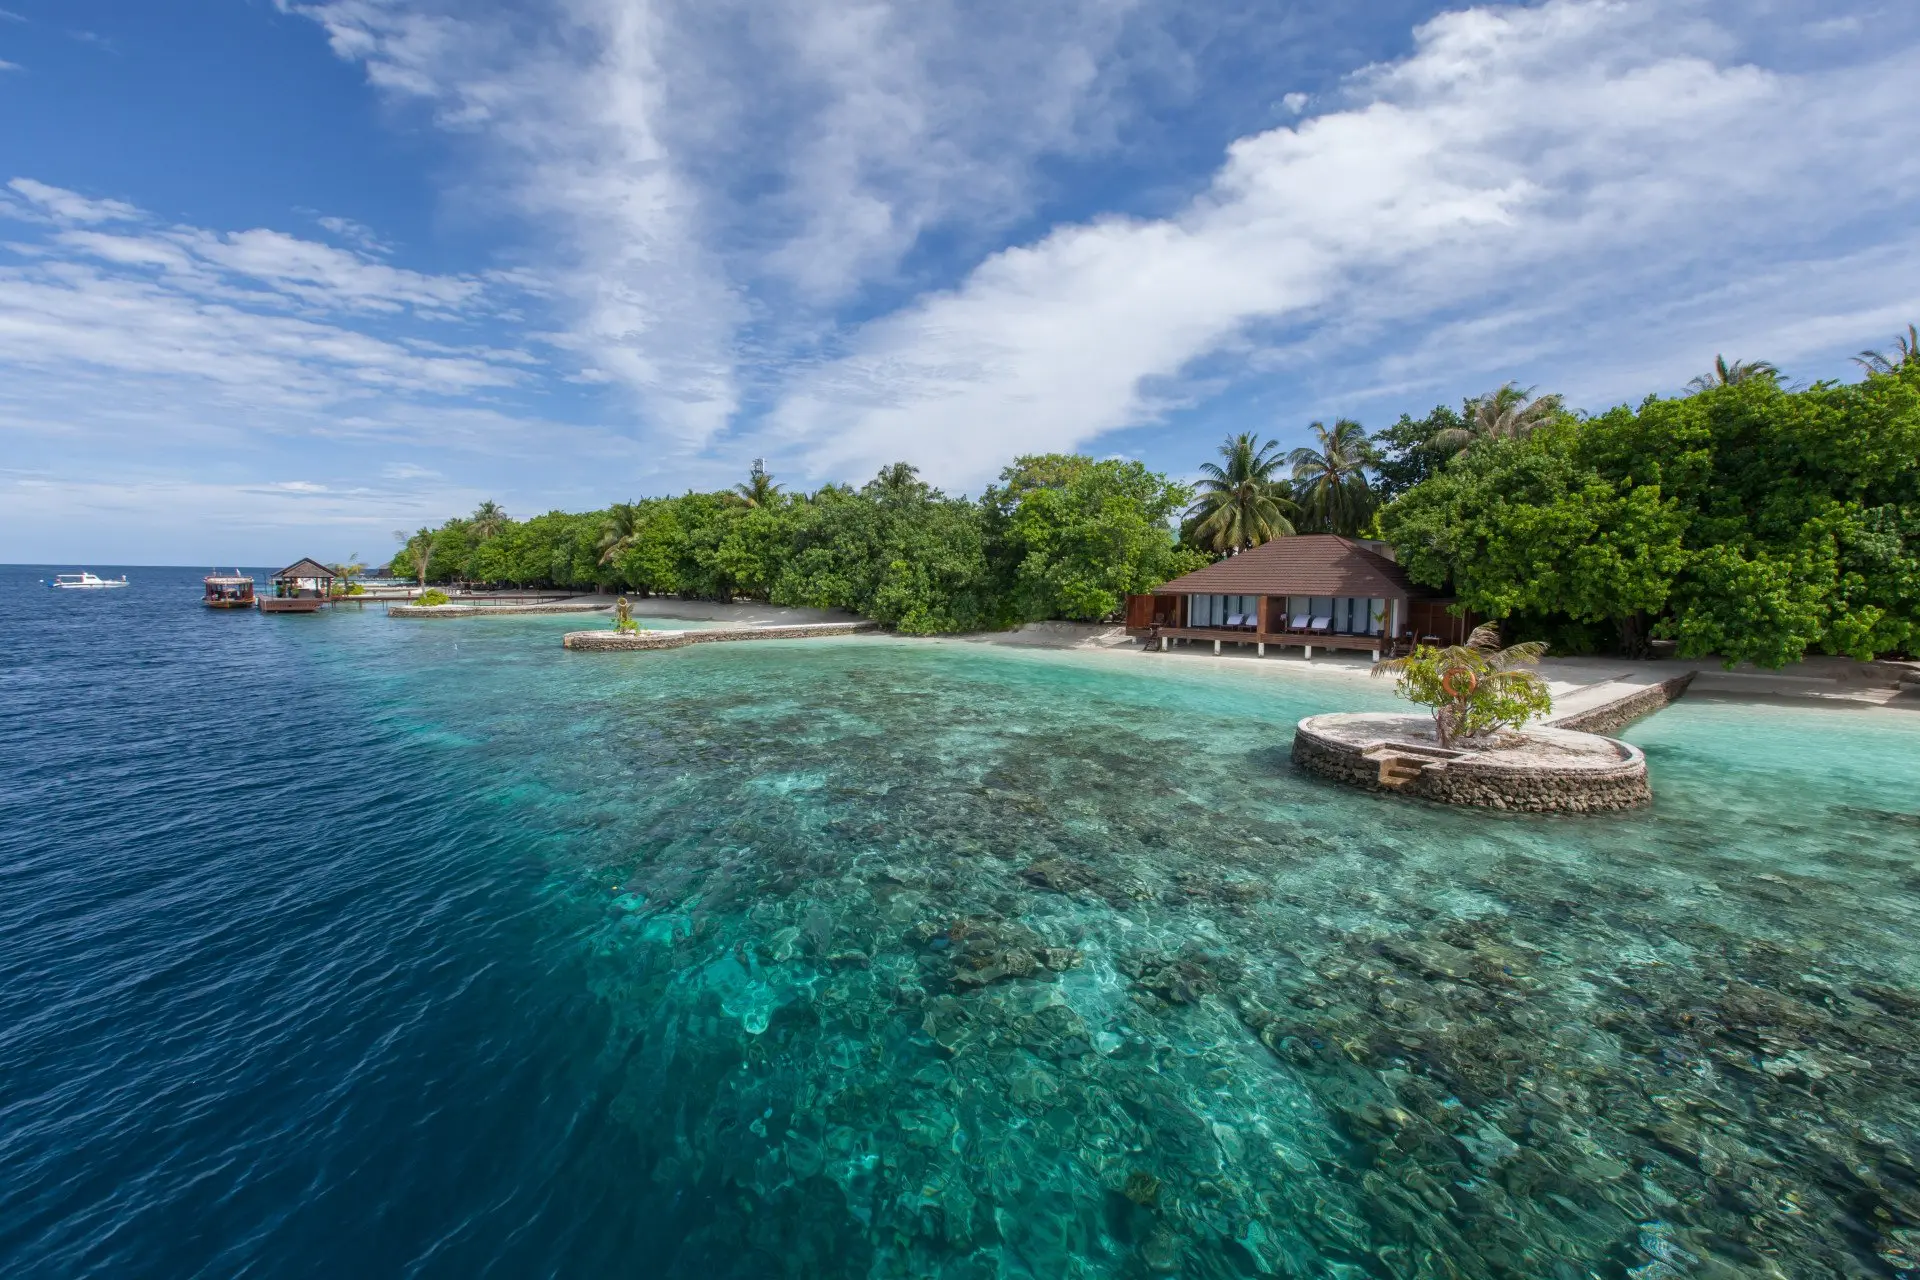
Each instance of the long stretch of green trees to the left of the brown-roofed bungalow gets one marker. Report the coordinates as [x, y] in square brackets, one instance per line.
[1061, 536]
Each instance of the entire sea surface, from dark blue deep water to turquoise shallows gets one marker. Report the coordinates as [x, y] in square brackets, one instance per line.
[921, 959]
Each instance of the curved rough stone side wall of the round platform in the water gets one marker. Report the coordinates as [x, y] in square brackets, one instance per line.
[1539, 790]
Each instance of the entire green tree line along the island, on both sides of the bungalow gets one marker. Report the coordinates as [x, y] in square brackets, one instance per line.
[1746, 519]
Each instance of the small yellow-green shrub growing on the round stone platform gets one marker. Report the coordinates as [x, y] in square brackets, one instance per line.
[1493, 686]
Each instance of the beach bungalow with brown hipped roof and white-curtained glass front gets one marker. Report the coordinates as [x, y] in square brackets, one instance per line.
[1314, 590]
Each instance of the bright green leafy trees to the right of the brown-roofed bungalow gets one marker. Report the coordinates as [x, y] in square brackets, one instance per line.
[1744, 521]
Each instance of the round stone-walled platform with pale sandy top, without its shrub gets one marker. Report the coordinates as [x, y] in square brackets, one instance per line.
[1541, 770]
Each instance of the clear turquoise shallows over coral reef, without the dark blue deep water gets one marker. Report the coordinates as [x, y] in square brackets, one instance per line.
[936, 959]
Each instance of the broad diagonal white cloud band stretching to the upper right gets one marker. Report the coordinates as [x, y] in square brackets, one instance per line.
[1520, 160]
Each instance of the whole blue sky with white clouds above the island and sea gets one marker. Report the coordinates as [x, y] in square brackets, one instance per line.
[281, 277]
